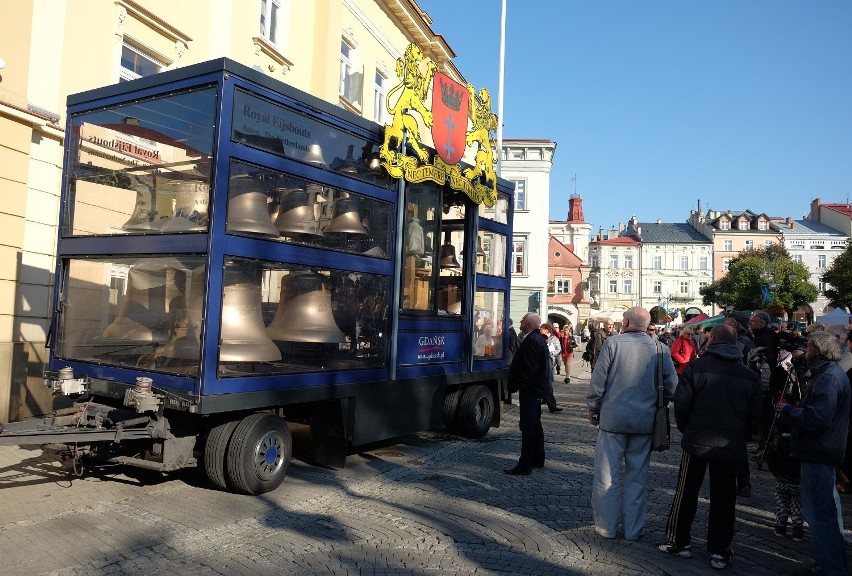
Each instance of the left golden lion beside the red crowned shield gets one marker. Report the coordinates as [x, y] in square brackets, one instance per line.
[415, 85]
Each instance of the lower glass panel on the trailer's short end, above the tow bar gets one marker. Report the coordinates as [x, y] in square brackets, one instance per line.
[136, 312]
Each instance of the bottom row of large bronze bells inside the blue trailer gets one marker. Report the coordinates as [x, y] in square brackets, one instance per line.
[304, 313]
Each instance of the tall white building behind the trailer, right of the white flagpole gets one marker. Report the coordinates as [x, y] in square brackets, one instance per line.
[527, 163]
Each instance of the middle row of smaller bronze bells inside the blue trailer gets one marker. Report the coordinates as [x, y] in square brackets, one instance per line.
[248, 211]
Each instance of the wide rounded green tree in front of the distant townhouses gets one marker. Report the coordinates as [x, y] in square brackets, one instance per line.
[755, 274]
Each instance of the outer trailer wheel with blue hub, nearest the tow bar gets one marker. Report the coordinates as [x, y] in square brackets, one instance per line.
[259, 454]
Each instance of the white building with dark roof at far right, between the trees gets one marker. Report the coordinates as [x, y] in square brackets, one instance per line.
[815, 245]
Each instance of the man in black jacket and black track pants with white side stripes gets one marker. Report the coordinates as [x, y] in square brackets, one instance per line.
[717, 406]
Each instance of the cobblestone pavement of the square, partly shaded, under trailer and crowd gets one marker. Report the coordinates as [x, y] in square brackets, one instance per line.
[428, 503]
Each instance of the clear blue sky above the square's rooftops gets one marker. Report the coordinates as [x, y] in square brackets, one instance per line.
[659, 105]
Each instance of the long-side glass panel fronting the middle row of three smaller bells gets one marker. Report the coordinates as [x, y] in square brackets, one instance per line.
[275, 205]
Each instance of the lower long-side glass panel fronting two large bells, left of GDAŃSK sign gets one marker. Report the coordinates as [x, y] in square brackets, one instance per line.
[281, 318]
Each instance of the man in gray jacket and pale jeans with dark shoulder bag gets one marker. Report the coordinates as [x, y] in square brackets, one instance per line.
[622, 402]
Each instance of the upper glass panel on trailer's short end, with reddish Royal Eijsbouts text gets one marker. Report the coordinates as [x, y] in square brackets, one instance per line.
[142, 168]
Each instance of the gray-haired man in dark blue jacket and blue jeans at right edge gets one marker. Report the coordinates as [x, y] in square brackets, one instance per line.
[819, 426]
